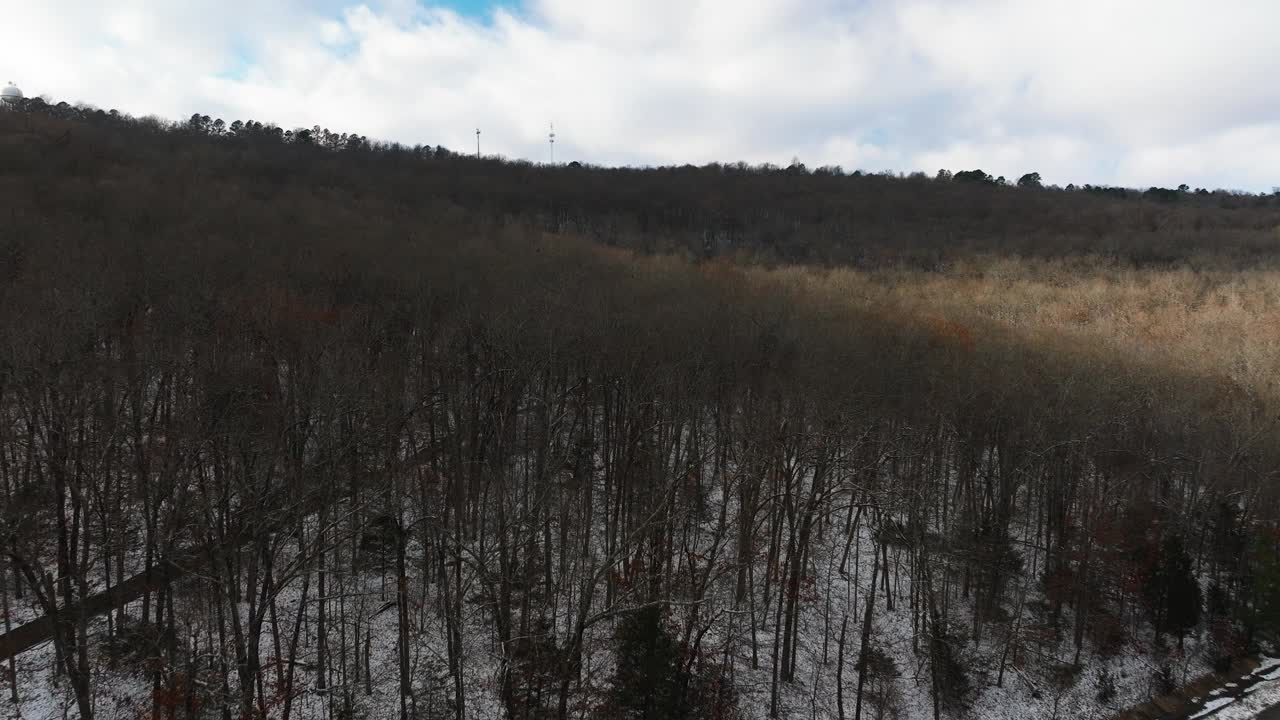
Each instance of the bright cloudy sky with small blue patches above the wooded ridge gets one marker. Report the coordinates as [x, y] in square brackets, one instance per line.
[1132, 93]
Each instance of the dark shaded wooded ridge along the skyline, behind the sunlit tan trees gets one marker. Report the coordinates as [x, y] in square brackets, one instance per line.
[767, 213]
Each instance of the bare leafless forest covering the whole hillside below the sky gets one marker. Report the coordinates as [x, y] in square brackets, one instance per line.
[295, 425]
